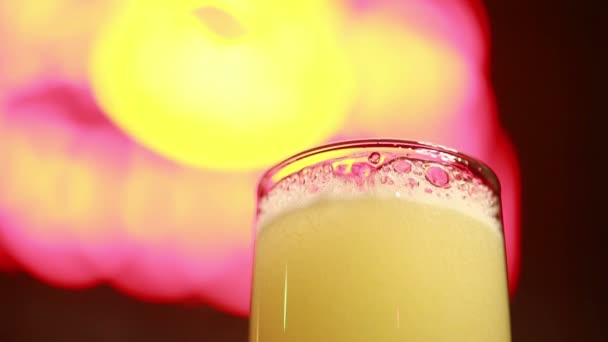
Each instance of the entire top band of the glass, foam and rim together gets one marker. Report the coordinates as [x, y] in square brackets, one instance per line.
[384, 169]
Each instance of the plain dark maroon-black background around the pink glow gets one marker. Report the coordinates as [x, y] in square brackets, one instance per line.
[546, 73]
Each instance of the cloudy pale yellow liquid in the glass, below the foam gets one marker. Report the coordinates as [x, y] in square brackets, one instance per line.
[372, 269]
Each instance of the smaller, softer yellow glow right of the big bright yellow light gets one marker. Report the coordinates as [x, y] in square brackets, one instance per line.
[405, 78]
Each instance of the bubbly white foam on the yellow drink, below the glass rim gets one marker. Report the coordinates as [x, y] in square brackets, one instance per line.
[398, 177]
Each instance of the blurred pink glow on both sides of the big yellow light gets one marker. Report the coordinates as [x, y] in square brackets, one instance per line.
[81, 202]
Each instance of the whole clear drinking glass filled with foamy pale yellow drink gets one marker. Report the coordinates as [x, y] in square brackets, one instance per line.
[379, 240]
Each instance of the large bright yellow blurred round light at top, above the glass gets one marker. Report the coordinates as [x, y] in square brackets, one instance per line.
[232, 84]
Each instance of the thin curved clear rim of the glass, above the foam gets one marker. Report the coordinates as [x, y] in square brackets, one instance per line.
[454, 157]
